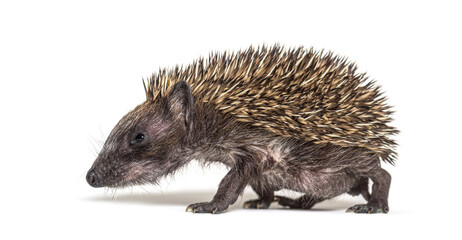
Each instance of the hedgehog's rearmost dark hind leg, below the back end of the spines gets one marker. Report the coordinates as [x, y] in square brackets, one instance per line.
[378, 202]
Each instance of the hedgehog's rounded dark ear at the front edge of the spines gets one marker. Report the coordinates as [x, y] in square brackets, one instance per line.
[181, 103]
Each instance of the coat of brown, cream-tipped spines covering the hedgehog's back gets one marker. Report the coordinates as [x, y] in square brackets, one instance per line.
[297, 93]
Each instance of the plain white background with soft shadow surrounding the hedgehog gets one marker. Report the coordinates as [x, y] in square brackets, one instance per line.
[70, 70]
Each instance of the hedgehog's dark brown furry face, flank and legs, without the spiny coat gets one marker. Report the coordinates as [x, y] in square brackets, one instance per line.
[177, 128]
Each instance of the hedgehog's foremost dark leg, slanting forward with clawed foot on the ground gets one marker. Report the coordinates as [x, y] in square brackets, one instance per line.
[230, 187]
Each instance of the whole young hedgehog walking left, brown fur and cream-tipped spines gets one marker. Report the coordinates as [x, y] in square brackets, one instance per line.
[279, 119]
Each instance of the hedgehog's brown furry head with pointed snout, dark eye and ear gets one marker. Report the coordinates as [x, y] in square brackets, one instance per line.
[140, 148]
